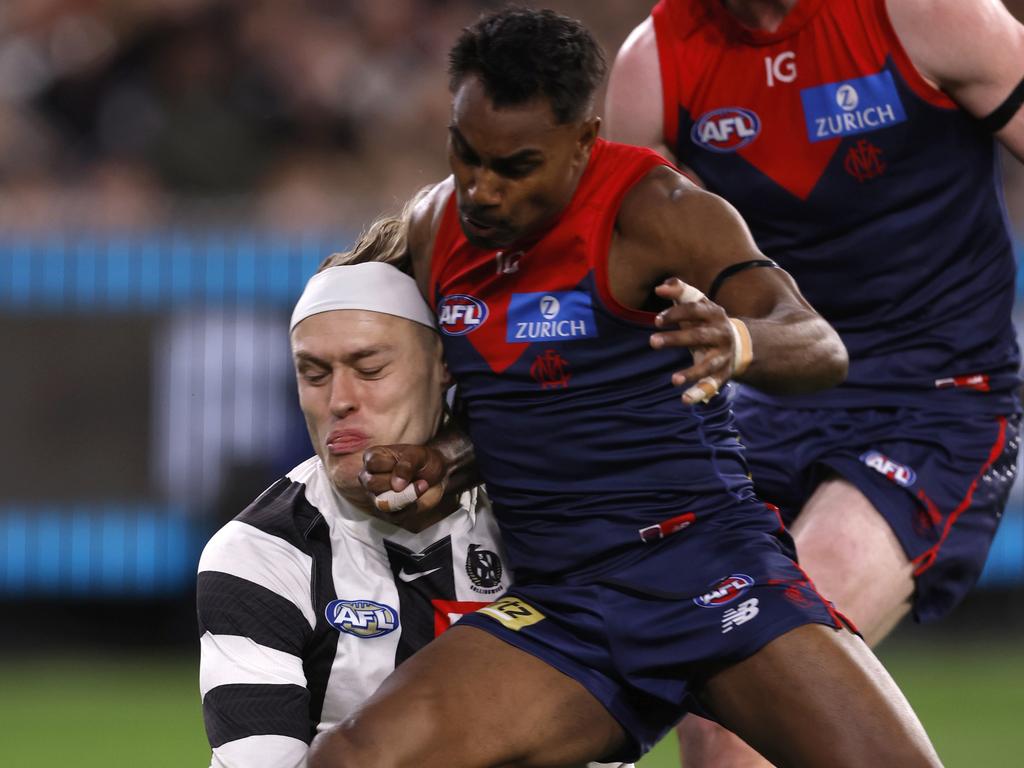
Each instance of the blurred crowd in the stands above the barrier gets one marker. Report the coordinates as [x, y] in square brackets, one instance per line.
[130, 114]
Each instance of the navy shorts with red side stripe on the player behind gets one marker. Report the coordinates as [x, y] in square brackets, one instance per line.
[941, 480]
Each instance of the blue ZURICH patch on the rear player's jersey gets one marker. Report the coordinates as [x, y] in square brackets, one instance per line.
[852, 107]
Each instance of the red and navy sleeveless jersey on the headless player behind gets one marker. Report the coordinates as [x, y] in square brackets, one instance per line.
[868, 185]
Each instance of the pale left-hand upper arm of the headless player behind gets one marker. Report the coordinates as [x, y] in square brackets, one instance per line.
[633, 107]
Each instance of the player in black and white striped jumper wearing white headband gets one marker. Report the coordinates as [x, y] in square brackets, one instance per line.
[308, 600]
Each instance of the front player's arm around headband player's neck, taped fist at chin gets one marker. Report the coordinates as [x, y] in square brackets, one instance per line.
[446, 466]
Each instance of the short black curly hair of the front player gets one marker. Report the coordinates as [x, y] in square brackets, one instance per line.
[522, 54]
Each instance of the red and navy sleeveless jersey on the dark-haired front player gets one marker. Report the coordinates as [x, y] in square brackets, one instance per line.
[580, 436]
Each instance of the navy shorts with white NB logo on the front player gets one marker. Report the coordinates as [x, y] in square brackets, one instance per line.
[644, 637]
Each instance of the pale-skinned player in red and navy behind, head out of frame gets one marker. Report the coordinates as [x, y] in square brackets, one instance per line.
[859, 140]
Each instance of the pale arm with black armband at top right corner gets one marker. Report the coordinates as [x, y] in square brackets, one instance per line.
[943, 37]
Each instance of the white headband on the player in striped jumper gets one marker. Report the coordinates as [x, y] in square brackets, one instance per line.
[373, 286]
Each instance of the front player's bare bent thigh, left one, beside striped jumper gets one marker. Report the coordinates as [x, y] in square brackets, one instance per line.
[472, 700]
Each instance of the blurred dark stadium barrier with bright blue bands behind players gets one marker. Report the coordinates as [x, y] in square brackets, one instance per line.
[148, 398]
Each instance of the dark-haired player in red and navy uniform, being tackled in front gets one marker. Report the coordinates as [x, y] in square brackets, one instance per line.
[650, 580]
